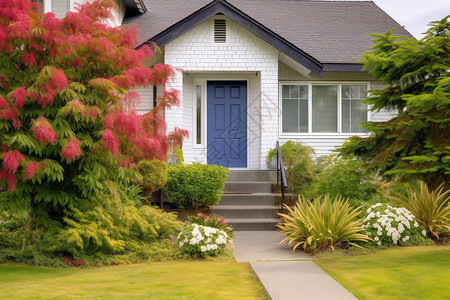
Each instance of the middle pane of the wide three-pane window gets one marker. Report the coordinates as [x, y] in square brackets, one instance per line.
[324, 108]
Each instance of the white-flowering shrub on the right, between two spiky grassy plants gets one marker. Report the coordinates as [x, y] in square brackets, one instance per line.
[388, 225]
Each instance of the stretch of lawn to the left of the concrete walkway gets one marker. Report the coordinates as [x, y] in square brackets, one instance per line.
[165, 280]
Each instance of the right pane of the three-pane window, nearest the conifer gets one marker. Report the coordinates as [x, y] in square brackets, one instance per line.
[353, 111]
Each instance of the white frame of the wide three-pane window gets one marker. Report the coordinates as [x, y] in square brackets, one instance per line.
[310, 84]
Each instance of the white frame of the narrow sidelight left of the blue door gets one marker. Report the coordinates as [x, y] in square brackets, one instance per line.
[202, 84]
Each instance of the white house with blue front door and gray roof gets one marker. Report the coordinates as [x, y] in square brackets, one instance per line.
[256, 71]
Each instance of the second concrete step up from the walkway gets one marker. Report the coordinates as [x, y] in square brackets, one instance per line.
[246, 211]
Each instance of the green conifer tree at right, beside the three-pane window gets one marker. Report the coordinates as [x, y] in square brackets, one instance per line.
[416, 143]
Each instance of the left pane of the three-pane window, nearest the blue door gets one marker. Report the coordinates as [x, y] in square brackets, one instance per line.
[294, 108]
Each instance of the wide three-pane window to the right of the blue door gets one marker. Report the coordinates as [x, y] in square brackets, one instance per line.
[323, 108]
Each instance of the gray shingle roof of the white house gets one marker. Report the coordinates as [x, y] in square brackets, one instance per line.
[330, 31]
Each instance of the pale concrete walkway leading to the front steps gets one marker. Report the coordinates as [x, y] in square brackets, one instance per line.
[285, 275]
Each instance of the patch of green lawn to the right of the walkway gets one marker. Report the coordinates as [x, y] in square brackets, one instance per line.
[400, 273]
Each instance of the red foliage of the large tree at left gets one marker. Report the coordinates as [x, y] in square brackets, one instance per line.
[100, 63]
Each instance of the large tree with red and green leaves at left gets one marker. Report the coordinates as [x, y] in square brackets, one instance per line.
[66, 140]
